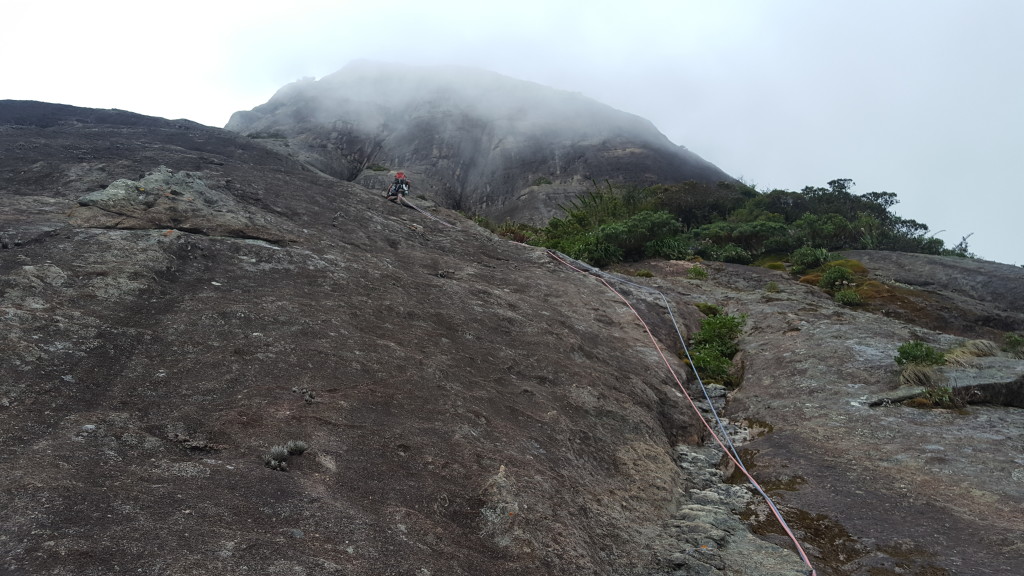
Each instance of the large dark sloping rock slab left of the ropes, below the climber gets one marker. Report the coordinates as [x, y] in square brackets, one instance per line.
[470, 405]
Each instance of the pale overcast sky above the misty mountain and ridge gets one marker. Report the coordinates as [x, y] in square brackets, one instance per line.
[921, 98]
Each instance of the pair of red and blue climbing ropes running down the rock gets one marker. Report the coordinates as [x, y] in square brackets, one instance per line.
[731, 451]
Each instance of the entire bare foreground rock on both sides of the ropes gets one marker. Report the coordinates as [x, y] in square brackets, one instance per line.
[177, 301]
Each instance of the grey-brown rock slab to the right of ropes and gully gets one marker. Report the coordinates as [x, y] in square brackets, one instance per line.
[888, 489]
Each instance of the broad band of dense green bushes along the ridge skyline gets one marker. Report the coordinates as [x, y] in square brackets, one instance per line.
[734, 223]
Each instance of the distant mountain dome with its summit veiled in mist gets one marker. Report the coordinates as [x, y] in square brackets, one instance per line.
[474, 141]
